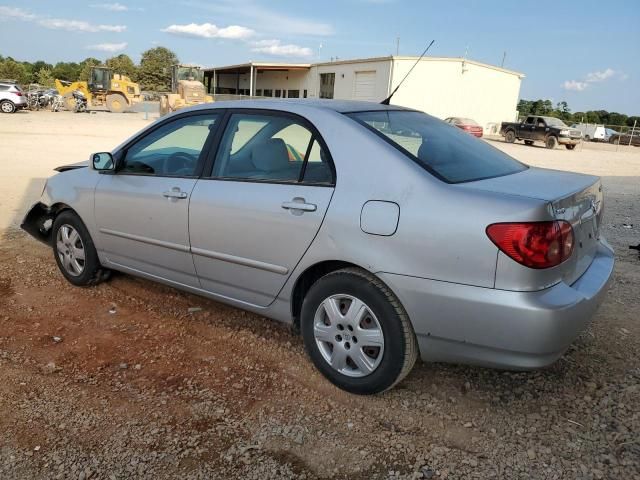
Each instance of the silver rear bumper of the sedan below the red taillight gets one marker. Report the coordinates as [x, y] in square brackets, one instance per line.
[499, 328]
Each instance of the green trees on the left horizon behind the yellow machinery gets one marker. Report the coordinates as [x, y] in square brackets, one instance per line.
[153, 73]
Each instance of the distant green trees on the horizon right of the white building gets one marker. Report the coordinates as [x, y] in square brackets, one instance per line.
[562, 111]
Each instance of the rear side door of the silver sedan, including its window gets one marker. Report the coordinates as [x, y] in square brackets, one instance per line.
[252, 220]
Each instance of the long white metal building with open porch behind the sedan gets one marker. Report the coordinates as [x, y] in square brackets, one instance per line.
[443, 87]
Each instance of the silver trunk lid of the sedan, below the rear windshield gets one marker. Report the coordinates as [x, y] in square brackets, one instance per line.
[573, 197]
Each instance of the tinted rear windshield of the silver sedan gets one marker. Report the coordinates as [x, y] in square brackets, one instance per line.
[449, 153]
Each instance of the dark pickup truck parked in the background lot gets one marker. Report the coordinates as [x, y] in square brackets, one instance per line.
[534, 128]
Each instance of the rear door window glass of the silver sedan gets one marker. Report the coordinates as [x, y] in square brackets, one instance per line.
[270, 148]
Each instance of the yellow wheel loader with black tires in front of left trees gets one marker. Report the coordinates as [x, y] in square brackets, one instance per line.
[104, 89]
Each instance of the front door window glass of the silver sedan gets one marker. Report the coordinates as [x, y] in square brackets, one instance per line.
[172, 150]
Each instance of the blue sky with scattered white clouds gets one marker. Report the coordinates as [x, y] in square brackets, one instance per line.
[586, 53]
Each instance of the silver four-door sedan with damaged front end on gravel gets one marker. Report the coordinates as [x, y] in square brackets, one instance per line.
[380, 233]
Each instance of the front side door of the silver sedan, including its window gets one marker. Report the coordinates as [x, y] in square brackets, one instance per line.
[141, 211]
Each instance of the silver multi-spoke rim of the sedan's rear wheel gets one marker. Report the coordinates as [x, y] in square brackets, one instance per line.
[348, 335]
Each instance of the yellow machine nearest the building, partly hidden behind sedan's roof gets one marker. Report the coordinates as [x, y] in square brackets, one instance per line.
[187, 89]
